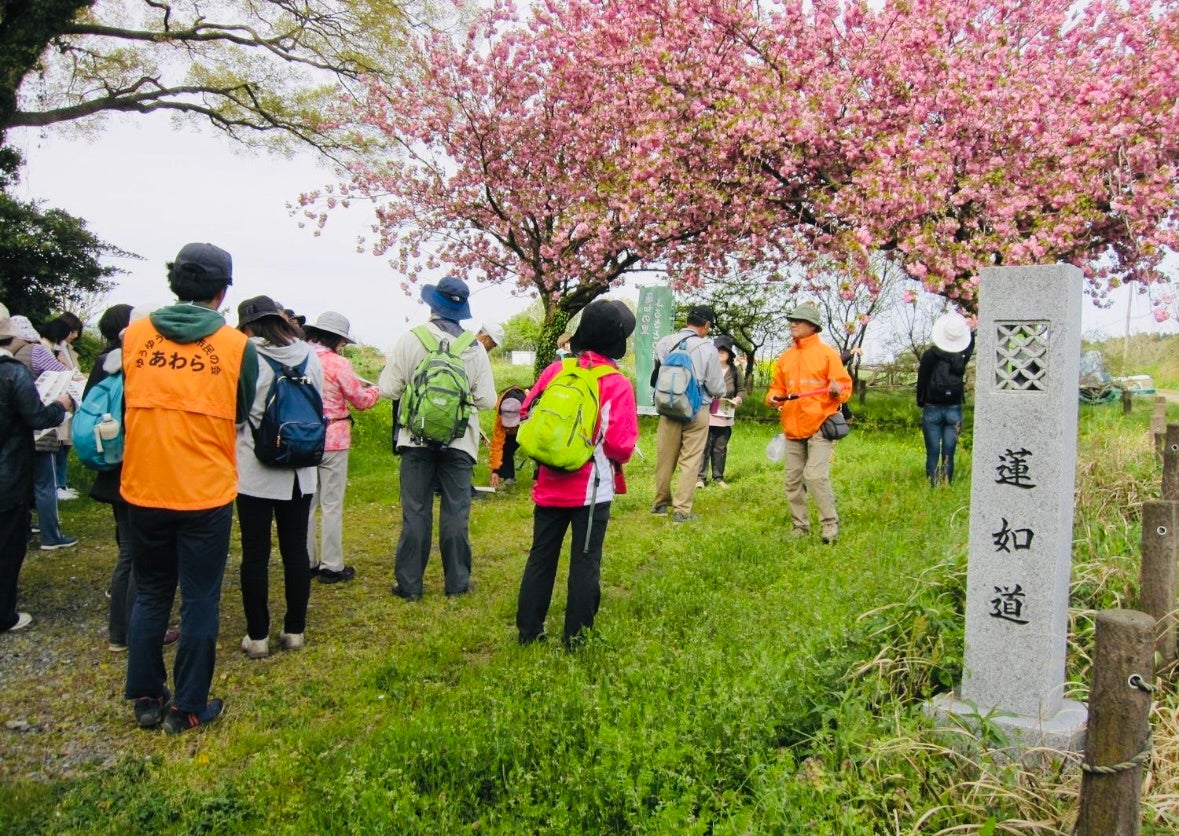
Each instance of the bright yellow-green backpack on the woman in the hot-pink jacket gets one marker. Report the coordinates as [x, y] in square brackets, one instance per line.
[561, 427]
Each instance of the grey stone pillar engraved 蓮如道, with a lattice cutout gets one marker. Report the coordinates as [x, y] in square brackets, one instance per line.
[1024, 463]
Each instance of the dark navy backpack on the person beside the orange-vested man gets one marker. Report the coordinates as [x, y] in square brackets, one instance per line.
[293, 430]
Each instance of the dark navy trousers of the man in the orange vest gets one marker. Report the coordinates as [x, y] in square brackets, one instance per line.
[172, 548]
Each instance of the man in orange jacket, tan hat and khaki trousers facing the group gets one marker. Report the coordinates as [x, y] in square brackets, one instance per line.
[809, 386]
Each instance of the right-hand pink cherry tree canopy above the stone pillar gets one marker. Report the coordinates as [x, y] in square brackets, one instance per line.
[954, 136]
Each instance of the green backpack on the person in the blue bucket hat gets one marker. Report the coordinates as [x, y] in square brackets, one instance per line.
[436, 407]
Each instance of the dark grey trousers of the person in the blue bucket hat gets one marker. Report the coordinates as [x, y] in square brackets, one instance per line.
[421, 470]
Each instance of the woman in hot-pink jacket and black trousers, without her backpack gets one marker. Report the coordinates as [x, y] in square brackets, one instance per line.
[581, 499]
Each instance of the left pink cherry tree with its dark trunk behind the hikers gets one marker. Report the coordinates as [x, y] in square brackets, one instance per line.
[526, 154]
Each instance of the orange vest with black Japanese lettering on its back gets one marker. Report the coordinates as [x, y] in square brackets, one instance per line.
[181, 405]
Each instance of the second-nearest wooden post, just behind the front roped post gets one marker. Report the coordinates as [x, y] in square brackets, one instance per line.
[1161, 536]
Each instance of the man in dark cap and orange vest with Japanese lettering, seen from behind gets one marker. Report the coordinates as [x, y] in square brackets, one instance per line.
[189, 380]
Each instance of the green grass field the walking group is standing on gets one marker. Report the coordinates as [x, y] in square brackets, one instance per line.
[736, 683]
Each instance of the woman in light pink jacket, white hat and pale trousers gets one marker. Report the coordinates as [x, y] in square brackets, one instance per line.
[341, 387]
